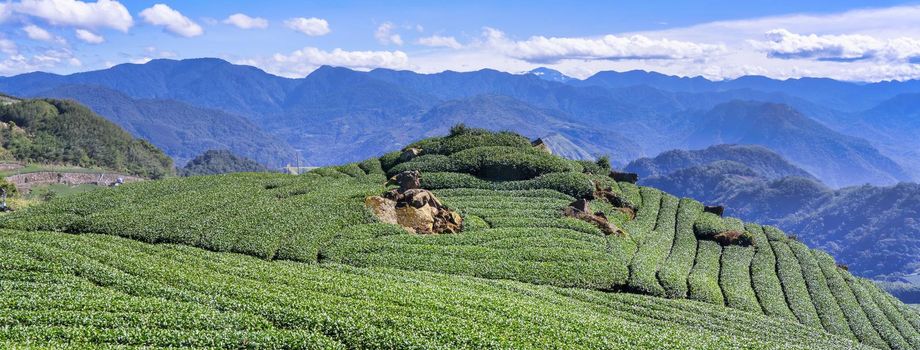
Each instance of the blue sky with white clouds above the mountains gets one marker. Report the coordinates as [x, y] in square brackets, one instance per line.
[849, 40]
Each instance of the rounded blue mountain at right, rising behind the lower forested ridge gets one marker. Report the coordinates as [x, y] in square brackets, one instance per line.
[837, 159]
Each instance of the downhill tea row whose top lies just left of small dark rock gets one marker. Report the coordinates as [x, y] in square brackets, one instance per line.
[673, 274]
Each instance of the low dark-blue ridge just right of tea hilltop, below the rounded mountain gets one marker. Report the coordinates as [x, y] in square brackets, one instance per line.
[760, 160]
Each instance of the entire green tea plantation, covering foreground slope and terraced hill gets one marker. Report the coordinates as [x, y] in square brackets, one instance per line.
[283, 261]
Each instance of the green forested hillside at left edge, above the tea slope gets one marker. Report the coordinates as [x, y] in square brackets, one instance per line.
[64, 132]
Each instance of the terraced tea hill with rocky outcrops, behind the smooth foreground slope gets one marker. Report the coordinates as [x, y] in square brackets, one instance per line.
[513, 230]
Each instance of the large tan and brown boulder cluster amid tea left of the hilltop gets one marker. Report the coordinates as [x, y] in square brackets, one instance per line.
[416, 210]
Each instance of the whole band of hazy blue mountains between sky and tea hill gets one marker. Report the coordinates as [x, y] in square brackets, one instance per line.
[337, 115]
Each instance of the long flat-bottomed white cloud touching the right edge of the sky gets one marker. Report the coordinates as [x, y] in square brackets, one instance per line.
[784, 44]
